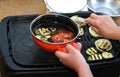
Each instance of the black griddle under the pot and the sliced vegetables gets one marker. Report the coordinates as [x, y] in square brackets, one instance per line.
[19, 51]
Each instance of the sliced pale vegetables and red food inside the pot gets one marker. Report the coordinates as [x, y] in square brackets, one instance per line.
[53, 35]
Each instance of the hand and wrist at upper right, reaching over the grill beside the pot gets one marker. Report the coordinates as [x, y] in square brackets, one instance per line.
[104, 26]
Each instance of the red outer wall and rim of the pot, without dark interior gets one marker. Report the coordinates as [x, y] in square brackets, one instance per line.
[52, 47]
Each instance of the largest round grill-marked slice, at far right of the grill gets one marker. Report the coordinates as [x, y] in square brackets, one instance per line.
[103, 45]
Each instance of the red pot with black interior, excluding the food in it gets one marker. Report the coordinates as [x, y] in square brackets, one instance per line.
[56, 20]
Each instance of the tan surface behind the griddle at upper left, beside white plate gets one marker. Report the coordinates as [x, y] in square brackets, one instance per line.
[21, 7]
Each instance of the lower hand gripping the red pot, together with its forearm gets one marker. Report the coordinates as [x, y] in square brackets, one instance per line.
[75, 60]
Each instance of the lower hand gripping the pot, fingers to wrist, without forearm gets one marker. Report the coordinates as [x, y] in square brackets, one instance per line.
[73, 58]
